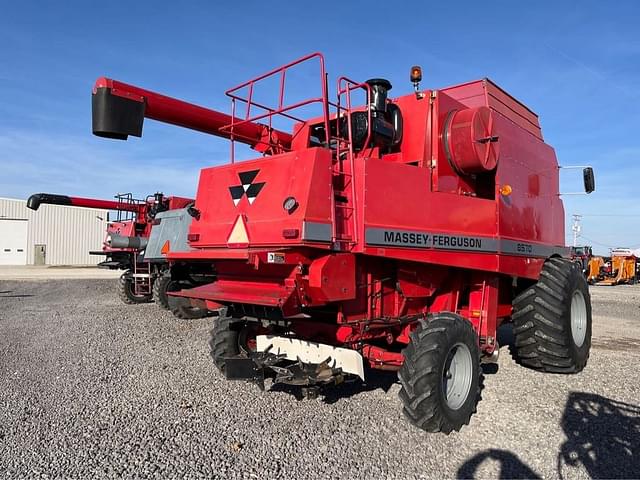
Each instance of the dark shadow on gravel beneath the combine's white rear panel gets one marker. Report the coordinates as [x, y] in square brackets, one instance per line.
[376, 379]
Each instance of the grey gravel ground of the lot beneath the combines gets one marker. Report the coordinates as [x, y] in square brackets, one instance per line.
[93, 388]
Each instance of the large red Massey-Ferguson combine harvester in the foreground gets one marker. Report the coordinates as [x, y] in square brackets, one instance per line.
[397, 235]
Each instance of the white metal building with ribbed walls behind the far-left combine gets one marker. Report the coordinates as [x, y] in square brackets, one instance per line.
[52, 235]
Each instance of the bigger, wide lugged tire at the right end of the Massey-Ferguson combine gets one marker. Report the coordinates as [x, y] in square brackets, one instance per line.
[552, 320]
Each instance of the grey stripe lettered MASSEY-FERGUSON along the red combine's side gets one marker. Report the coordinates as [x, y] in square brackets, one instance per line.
[447, 241]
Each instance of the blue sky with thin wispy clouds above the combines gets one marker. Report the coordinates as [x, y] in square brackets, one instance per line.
[577, 64]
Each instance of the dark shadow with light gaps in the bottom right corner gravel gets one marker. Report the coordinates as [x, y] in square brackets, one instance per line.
[603, 435]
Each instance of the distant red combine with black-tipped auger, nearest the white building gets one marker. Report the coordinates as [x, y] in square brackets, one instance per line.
[126, 240]
